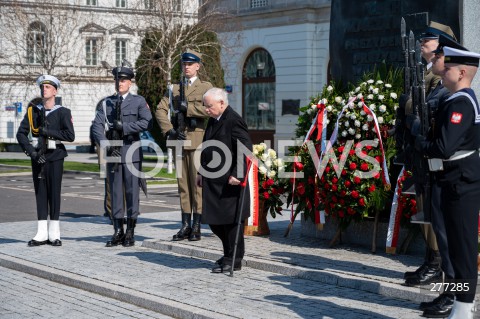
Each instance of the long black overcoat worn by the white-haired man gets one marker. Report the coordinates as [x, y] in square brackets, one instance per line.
[221, 201]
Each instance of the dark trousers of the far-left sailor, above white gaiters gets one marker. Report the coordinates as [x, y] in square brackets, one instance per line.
[48, 188]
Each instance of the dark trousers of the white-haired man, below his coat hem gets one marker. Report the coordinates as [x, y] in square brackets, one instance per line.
[227, 234]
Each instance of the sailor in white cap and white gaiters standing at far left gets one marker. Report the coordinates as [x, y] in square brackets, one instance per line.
[51, 124]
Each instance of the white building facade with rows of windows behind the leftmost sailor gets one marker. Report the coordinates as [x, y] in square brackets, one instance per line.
[78, 41]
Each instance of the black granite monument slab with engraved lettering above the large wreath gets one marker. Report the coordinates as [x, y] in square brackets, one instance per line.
[366, 33]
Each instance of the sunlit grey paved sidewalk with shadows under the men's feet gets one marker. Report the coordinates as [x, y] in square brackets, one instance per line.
[291, 277]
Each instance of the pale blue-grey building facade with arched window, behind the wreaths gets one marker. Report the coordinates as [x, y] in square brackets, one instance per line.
[278, 61]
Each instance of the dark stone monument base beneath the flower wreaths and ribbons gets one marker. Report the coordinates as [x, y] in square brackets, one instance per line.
[361, 234]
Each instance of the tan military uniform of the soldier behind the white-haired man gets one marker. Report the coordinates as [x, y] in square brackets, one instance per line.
[190, 194]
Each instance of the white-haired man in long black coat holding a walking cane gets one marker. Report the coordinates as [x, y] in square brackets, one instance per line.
[225, 143]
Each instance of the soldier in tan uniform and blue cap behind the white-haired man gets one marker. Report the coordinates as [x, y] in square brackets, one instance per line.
[195, 115]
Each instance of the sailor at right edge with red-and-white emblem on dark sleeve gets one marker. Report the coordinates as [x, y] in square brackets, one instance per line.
[454, 160]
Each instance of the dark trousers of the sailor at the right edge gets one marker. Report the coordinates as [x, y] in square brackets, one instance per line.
[460, 200]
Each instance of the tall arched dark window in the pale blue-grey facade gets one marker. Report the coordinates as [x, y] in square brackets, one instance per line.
[259, 95]
